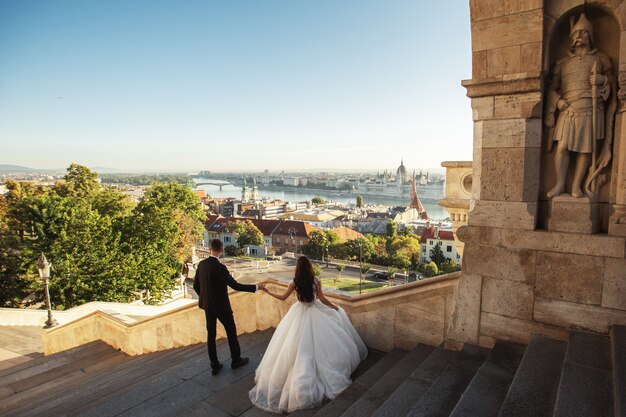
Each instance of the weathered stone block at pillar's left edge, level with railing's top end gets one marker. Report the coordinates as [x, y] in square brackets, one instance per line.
[500, 263]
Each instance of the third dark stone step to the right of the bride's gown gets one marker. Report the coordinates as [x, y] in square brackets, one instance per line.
[411, 390]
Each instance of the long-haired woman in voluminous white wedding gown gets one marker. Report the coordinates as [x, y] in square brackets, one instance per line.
[313, 351]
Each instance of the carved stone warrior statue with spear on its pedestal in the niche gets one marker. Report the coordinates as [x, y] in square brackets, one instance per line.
[579, 120]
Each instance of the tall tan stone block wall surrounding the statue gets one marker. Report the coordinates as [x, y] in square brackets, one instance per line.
[518, 278]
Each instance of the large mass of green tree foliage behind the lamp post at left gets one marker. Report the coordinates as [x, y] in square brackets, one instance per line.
[102, 247]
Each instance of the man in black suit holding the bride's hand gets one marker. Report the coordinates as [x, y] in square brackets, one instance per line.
[212, 279]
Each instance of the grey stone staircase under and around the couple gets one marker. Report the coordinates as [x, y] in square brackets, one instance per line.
[585, 377]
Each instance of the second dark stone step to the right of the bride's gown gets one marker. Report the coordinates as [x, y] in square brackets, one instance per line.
[376, 395]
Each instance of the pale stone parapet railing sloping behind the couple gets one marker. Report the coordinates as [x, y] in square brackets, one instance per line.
[401, 316]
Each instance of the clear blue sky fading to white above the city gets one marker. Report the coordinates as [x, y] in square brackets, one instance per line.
[234, 85]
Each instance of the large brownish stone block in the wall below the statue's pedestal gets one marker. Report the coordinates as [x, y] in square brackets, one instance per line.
[565, 277]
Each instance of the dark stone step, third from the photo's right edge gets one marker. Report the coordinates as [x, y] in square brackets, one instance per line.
[535, 385]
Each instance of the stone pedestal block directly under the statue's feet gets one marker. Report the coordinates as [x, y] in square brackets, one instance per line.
[577, 215]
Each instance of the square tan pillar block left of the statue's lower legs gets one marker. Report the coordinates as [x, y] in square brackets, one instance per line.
[510, 174]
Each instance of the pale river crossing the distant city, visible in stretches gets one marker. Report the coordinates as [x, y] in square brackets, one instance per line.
[435, 211]
